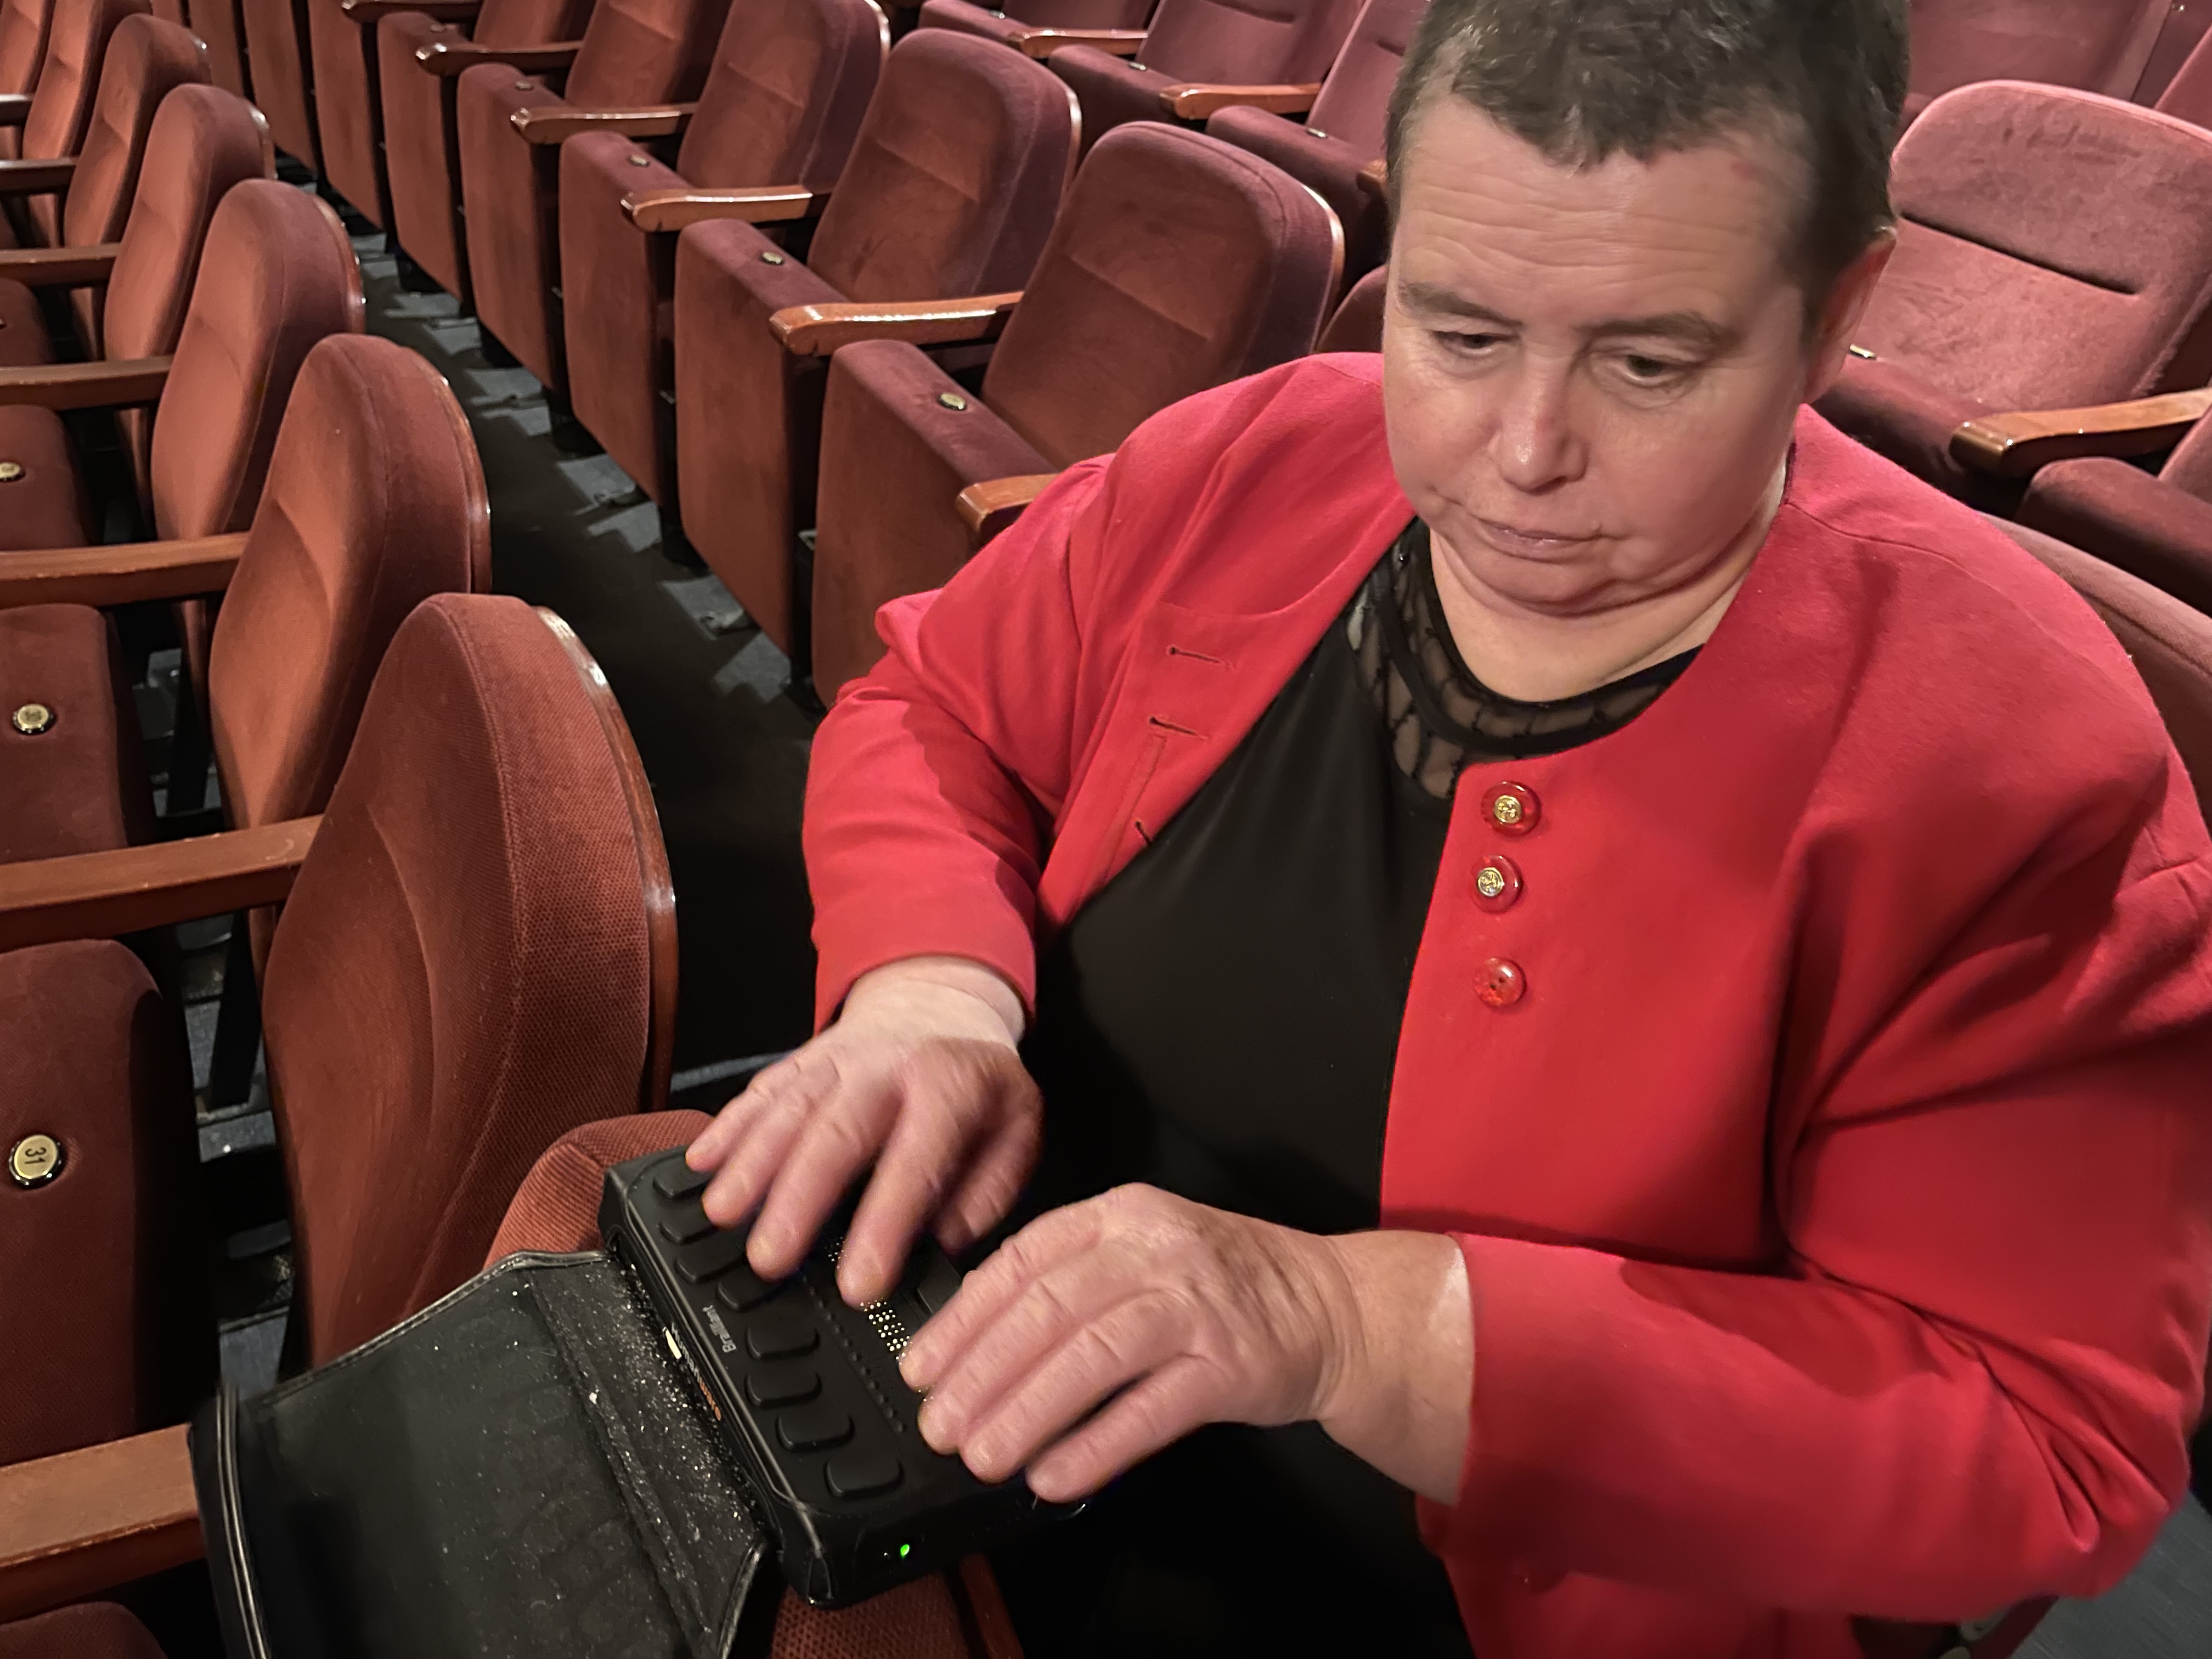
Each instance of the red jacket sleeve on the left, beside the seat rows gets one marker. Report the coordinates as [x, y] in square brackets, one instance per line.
[937, 778]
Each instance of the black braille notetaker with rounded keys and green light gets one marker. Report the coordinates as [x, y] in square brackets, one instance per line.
[808, 1392]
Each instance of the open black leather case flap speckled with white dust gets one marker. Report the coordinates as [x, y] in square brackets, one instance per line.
[517, 1470]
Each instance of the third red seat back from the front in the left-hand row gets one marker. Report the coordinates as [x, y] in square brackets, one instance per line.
[278, 275]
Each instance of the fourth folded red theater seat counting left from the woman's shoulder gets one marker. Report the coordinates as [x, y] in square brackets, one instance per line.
[634, 54]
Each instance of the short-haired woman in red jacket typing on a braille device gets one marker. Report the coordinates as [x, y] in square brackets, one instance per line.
[1594, 952]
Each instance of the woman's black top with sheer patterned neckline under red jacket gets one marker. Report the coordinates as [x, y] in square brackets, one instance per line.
[1222, 1021]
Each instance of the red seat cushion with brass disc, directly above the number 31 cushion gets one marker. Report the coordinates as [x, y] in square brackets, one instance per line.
[79, 784]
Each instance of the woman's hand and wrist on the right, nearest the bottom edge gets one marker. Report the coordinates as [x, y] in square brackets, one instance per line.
[1187, 1315]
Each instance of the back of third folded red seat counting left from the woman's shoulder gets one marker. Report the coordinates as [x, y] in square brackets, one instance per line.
[786, 92]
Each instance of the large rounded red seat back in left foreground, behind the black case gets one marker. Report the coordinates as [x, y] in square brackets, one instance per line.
[463, 970]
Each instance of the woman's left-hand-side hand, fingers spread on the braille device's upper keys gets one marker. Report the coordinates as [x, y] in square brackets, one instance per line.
[919, 1078]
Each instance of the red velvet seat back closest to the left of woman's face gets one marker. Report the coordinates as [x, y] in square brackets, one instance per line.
[1176, 264]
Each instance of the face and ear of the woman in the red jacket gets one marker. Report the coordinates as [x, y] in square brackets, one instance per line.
[1592, 375]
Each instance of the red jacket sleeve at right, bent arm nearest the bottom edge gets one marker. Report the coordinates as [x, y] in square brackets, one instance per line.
[1974, 1375]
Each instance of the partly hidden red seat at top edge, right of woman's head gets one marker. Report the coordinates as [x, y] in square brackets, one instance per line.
[2094, 45]
